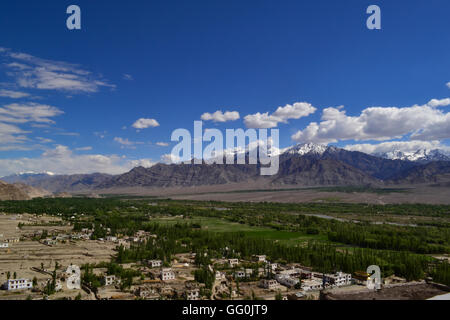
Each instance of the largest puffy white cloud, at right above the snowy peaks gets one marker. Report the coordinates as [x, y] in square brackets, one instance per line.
[424, 122]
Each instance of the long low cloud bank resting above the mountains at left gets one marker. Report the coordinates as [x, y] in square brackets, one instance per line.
[62, 160]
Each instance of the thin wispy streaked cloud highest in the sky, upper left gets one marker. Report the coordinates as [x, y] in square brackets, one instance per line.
[32, 72]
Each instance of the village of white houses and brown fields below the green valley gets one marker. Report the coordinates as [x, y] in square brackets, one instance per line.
[43, 253]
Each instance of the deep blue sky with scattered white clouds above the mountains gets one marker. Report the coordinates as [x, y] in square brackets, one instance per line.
[69, 99]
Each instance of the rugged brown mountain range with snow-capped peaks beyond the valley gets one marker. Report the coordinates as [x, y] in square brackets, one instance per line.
[303, 165]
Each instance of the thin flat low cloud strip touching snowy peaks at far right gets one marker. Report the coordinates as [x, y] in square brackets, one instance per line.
[403, 146]
